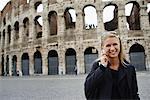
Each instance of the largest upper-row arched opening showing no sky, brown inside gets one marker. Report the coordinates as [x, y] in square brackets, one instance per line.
[52, 19]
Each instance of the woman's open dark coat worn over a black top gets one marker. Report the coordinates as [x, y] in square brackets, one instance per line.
[98, 84]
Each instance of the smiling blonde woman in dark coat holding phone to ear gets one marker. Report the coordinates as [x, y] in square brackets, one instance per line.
[111, 77]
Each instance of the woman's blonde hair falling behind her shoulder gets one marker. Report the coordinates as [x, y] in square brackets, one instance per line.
[113, 34]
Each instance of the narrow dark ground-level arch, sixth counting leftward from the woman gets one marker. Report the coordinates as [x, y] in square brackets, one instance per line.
[14, 65]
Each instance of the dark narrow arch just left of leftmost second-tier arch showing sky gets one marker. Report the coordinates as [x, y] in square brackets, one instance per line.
[26, 28]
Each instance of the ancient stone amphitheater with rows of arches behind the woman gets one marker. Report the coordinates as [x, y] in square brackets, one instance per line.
[61, 43]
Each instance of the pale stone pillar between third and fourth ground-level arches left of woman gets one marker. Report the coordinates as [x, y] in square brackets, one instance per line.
[44, 62]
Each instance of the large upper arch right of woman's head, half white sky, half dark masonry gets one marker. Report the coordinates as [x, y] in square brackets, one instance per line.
[132, 12]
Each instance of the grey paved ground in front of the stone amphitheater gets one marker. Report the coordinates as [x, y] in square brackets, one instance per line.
[56, 87]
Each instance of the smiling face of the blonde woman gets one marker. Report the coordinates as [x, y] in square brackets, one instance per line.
[112, 47]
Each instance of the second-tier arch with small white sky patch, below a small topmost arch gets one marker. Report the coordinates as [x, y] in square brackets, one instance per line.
[38, 26]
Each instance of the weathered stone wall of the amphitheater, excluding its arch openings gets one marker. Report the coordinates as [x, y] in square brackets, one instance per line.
[77, 38]
